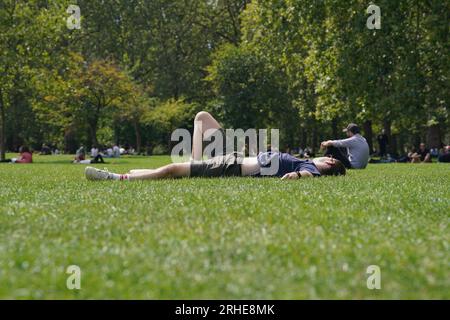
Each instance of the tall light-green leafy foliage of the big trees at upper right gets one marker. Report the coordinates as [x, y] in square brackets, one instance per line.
[337, 70]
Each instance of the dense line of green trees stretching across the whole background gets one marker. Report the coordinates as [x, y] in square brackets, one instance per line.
[137, 69]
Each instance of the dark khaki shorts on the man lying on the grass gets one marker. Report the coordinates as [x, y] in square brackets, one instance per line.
[220, 166]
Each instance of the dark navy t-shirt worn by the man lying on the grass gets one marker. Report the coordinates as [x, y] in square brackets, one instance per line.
[287, 163]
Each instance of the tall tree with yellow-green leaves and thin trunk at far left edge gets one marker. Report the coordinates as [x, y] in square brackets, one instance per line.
[32, 34]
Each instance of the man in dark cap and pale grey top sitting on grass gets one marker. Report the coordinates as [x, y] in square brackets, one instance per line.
[353, 152]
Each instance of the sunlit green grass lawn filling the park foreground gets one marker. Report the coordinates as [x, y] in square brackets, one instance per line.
[223, 238]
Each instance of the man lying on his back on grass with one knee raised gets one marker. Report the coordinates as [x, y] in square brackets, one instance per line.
[228, 165]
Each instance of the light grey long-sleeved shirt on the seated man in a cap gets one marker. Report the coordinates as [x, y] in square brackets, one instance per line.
[357, 149]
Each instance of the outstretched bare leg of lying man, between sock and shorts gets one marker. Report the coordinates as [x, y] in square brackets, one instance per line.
[170, 171]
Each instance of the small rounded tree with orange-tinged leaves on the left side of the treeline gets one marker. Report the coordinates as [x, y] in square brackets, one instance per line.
[84, 92]
